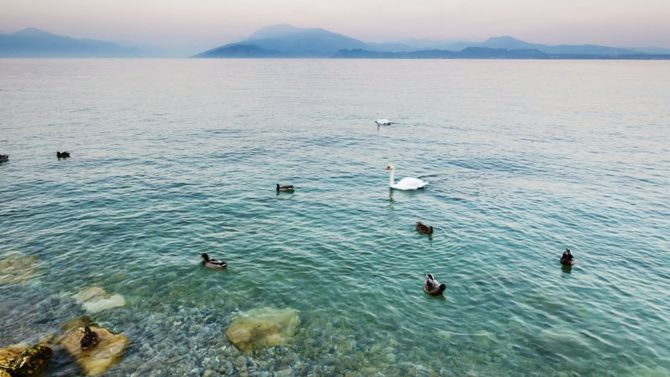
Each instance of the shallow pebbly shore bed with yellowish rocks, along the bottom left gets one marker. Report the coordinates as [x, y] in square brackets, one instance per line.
[181, 339]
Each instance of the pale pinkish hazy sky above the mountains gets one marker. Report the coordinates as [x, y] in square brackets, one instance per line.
[190, 26]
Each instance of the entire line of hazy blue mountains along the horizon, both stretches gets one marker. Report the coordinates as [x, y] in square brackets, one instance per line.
[286, 41]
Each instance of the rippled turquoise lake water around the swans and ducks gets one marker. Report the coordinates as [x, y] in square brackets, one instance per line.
[173, 158]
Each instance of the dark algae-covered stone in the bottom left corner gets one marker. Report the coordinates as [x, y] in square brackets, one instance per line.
[24, 361]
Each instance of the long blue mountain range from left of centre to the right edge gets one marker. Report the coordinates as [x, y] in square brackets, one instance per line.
[287, 41]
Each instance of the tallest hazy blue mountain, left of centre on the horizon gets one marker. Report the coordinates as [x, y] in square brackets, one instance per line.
[288, 41]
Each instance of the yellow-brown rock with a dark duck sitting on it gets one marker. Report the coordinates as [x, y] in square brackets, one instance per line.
[97, 360]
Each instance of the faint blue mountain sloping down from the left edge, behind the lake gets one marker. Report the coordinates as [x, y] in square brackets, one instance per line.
[37, 43]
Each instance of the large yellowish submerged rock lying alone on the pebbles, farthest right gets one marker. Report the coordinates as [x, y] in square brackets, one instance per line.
[261, 328]
